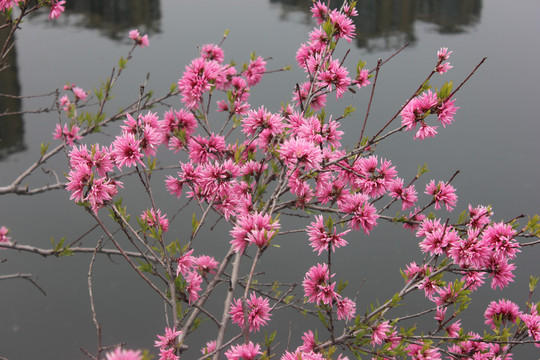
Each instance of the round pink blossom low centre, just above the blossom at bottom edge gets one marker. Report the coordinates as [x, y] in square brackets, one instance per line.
[255, 309]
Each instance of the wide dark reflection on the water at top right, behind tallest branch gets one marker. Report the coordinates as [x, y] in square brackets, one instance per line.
[388, 24]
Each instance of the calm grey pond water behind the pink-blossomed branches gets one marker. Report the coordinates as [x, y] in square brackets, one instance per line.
[493, 142]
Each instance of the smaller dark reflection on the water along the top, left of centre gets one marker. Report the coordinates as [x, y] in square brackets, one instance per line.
[114, 18]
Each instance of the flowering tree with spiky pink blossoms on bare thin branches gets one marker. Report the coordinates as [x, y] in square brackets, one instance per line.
[252, 168]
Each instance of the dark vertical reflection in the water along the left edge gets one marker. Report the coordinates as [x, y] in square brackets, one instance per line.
[12, 126]
